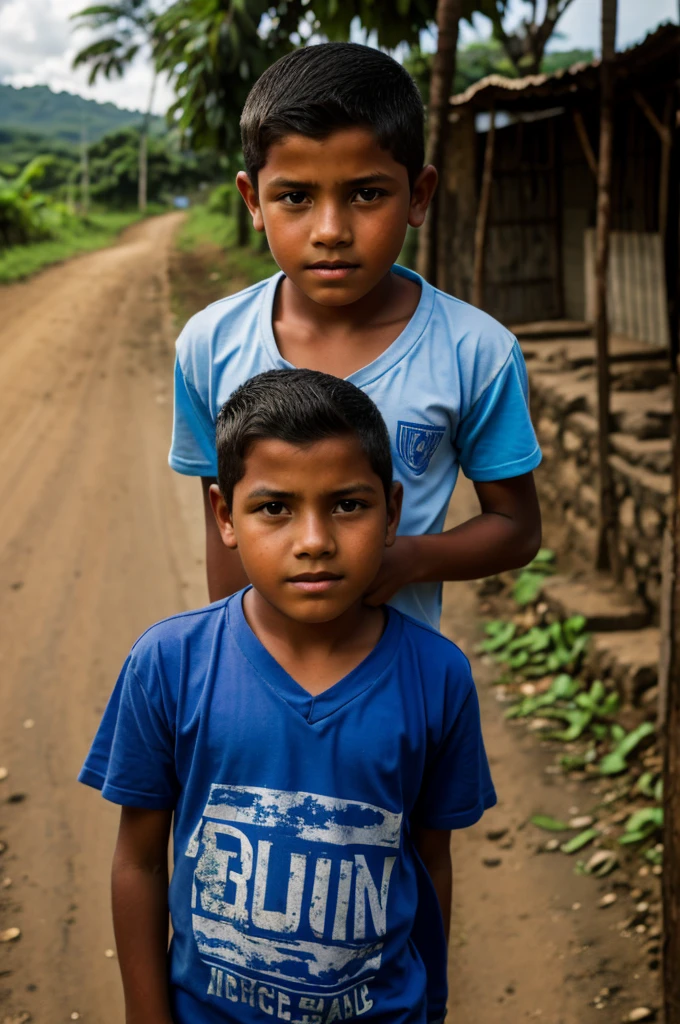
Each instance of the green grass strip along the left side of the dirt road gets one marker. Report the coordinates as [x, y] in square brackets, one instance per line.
[101, 230]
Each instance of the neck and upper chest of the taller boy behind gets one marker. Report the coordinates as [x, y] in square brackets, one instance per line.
[343, 339]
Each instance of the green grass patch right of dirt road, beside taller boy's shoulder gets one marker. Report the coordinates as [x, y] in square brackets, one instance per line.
[203, 228]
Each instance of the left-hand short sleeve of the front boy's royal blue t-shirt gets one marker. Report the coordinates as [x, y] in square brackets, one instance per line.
[132, 760]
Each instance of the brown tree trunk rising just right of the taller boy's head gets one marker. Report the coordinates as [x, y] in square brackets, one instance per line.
[444, 72]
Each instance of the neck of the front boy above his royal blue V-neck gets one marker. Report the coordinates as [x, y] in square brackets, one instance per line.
[316, 655]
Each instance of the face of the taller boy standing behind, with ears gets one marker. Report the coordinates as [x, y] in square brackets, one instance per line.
[336, 211]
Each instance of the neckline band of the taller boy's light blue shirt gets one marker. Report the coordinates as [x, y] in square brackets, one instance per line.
[393, 355]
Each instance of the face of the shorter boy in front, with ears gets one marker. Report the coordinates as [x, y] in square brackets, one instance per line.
[311, 525]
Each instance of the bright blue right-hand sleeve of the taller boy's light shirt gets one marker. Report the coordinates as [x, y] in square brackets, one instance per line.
[496, 440]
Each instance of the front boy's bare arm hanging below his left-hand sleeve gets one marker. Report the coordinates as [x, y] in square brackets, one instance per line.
[140, 897]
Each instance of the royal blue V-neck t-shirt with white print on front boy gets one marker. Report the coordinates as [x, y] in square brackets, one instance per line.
[296, 881]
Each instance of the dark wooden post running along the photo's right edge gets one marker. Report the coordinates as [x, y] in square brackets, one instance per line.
[671, 644]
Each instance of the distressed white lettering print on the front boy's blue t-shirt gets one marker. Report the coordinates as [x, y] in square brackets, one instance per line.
[290, 900]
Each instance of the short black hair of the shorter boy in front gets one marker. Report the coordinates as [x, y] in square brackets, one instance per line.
[300, 407]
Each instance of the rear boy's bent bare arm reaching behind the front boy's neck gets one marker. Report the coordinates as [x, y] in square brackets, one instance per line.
[505, 536]
